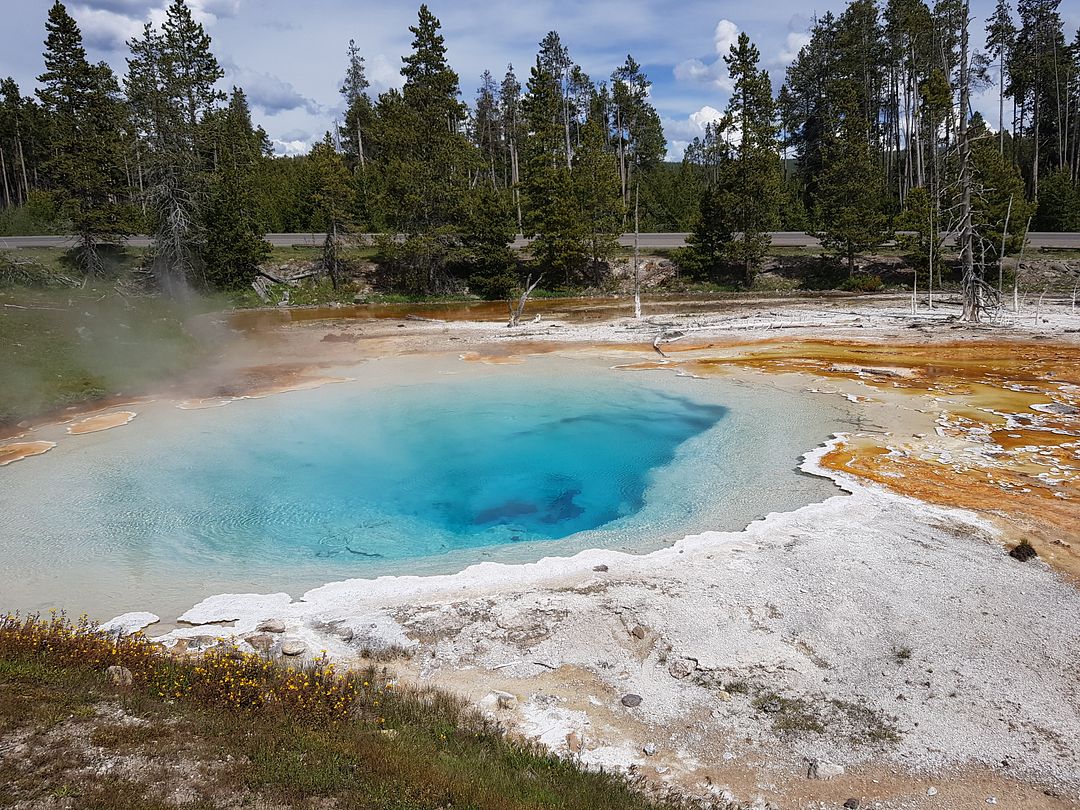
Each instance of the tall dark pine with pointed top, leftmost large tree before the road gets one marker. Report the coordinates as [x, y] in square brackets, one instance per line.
[87, 117]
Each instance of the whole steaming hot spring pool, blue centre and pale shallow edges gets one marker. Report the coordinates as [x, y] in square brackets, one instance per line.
[418, 466]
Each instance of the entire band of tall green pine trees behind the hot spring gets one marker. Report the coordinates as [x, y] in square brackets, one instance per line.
[869, 133]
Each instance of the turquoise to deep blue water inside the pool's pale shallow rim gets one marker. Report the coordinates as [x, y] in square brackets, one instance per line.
[410, 471]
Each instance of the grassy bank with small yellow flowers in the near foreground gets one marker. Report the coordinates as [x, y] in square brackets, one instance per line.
[271, 735]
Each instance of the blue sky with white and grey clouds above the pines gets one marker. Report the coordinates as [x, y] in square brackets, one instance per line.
[290, 57]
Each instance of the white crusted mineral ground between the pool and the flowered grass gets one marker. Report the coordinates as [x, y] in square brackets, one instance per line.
[871, 628]
